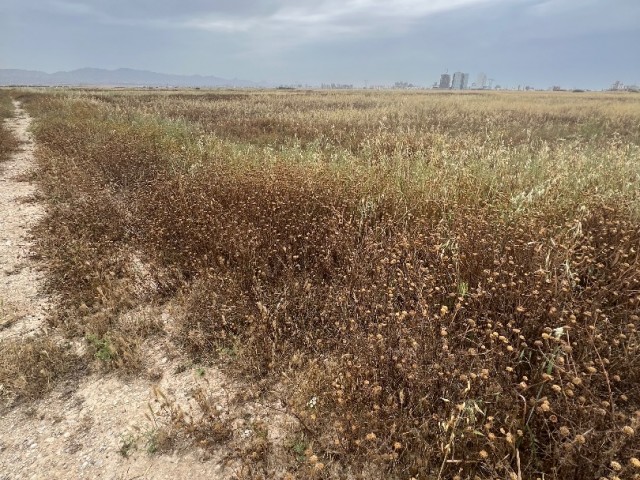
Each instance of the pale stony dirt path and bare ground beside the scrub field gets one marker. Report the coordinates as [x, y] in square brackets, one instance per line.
[98, 426]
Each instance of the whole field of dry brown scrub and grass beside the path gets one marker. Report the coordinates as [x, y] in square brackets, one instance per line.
[445, 286]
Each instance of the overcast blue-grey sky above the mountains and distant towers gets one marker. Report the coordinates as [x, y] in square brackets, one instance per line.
[570, 43]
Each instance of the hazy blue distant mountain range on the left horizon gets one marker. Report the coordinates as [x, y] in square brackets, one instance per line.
[120, 77]
